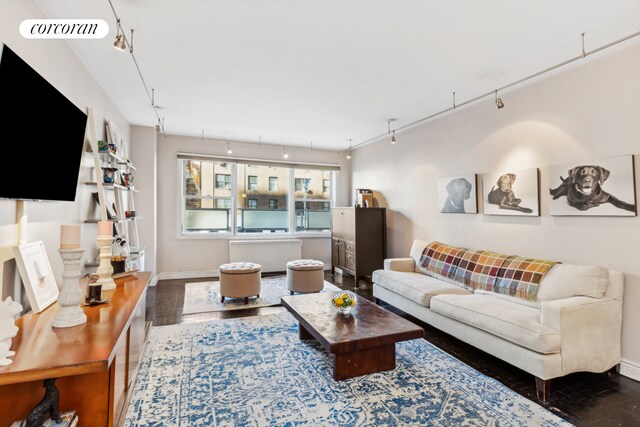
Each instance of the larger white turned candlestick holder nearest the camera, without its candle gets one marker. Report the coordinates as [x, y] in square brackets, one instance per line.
[70, 313]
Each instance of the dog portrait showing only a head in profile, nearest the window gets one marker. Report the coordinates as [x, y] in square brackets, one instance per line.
[458, 194]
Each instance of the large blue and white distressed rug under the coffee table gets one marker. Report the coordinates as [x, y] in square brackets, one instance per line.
[256, 372]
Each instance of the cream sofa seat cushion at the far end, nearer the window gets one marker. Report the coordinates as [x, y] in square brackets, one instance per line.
[417, 287]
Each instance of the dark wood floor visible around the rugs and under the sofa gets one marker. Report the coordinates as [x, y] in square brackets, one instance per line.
[583, 399]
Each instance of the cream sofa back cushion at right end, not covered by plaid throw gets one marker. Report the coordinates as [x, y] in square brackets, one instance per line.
[568, 280]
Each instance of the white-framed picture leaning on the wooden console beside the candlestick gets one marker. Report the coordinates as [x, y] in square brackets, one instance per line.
[37, 276]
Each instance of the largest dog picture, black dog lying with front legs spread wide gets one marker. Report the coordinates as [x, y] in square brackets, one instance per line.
[602, 187]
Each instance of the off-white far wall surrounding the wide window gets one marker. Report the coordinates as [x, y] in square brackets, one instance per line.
[177, 256]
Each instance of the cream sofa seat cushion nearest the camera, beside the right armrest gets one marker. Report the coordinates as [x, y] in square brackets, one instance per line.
[513, 322]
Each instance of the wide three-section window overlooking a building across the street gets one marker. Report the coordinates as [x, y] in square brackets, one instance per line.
[236, 197]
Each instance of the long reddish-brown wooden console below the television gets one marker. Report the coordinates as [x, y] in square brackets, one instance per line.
[95, 362]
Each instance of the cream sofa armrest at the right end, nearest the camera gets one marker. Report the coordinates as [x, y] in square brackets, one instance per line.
[590, 329]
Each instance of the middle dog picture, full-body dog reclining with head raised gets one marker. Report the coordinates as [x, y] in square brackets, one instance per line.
[511, 193]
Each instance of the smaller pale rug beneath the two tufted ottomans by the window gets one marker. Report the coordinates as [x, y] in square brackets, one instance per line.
[202, 297]
